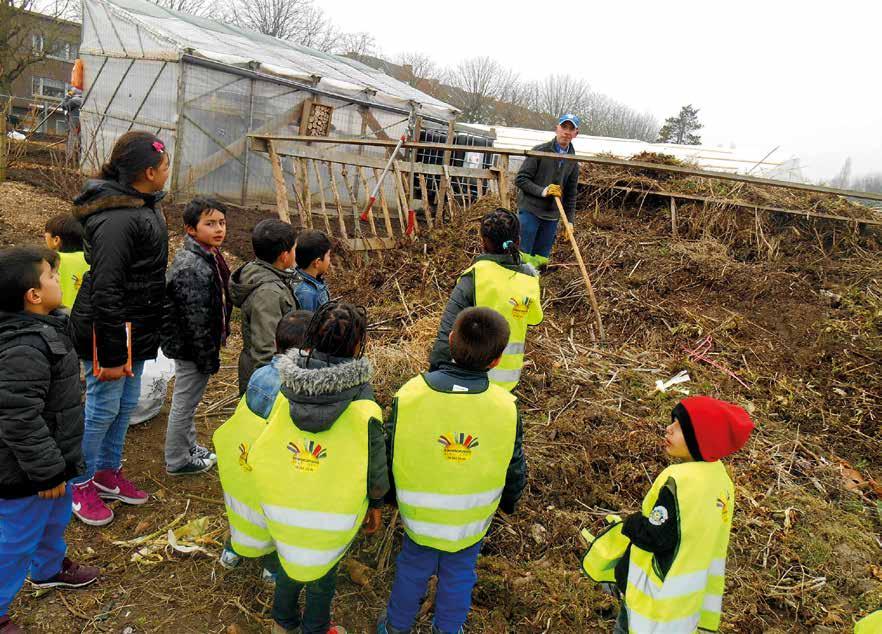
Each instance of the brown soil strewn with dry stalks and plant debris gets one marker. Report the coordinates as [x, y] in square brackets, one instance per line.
[793, 334]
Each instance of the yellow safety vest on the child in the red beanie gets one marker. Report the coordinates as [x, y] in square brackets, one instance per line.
[691, 594]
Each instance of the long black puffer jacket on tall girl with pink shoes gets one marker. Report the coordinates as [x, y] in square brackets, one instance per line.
[126, 245]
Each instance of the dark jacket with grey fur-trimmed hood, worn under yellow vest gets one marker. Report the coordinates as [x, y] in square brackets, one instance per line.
[319, 389]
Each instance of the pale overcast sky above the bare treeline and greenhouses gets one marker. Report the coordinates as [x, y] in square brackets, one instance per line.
[802, 75]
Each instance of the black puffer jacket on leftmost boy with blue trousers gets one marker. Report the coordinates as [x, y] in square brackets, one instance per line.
[41, 412]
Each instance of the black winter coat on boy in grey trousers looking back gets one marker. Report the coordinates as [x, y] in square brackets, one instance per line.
[197, 309]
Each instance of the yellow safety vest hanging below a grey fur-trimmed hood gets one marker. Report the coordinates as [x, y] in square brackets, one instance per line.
[313, 486]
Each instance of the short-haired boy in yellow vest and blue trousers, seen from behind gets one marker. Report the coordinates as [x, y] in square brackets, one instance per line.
[456, 450]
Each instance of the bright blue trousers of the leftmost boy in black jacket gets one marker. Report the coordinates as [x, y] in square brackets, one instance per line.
[31, 537]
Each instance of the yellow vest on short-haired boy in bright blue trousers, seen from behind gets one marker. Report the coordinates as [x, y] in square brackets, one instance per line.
[452, 452]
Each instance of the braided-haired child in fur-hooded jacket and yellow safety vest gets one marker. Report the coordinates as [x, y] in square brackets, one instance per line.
[319, 468]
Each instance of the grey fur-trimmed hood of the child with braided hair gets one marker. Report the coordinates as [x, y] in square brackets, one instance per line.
[319, 388]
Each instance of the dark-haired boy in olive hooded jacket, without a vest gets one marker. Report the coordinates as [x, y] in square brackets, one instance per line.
[263, 289]
